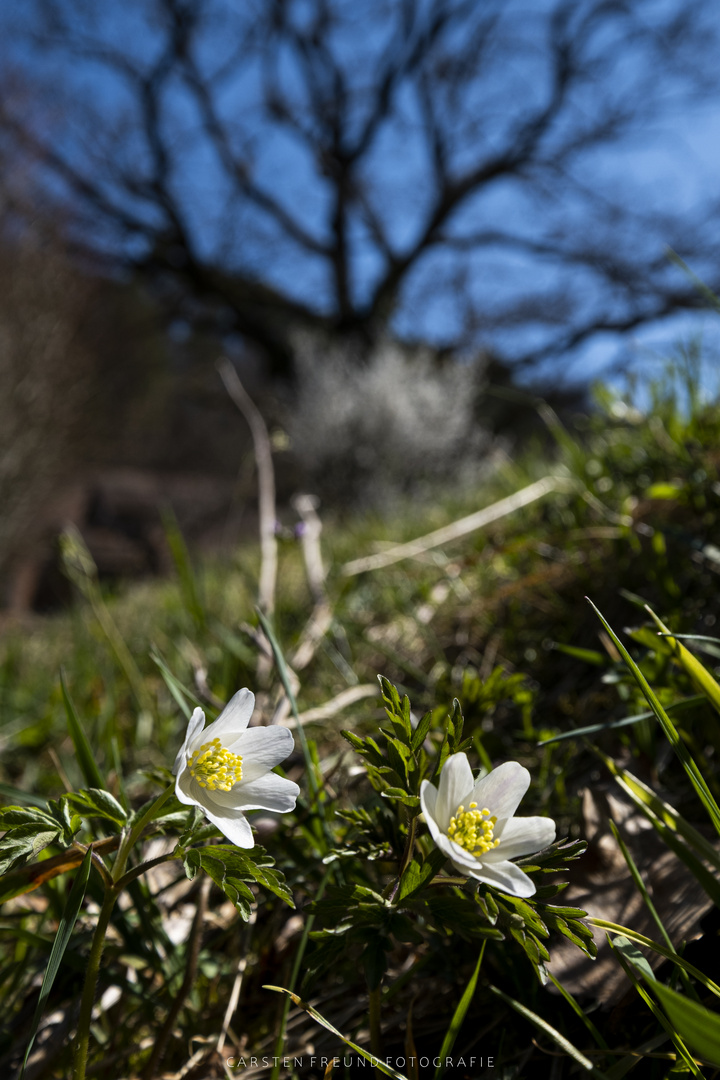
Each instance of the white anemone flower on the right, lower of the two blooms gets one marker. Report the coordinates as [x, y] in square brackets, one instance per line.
[473, 823]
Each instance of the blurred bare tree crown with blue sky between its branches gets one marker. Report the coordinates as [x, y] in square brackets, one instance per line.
[451, 171]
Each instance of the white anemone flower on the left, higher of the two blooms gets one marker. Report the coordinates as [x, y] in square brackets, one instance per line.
[226, 768]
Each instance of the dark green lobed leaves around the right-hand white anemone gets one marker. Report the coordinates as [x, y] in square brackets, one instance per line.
[418, 903]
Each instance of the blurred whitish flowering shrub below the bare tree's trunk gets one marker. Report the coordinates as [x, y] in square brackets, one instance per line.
[365, 429]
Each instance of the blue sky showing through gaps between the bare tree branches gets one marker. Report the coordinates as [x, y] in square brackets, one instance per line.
[669, 165]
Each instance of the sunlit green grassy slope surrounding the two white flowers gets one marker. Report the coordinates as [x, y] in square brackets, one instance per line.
[495, 622]
